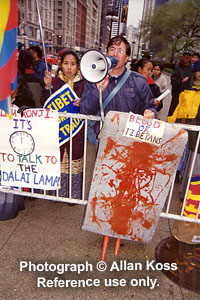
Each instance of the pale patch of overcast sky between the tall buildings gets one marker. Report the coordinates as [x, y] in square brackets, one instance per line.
[135, 12]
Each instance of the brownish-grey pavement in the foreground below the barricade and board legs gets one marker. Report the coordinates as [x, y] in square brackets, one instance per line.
[47, 234]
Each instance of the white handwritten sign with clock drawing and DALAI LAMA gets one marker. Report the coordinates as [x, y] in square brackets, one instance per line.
[29, 155]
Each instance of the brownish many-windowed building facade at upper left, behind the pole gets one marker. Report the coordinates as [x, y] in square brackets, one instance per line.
[73, 24]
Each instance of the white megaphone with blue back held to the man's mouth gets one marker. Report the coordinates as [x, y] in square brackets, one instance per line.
[94, 65]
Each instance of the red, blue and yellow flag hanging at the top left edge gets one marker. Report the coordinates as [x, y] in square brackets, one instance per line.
[8, 51]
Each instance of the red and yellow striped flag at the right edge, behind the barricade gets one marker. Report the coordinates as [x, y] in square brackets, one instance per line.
[193, 198]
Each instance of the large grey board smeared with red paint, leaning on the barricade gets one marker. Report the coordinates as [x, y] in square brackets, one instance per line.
[131, 180]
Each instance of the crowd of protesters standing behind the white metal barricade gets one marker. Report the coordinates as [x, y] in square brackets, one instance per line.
[138, 94]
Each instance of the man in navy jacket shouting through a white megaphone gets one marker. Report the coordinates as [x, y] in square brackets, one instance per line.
[133, 95]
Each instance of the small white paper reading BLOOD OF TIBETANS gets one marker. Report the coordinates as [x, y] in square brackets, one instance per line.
[146, 130]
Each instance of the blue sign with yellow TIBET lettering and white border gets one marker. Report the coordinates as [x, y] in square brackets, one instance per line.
[62, 101]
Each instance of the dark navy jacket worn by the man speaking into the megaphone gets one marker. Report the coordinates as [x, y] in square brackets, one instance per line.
[134, 96]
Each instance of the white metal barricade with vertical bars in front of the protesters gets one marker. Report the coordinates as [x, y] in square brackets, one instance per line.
[43, 194]
